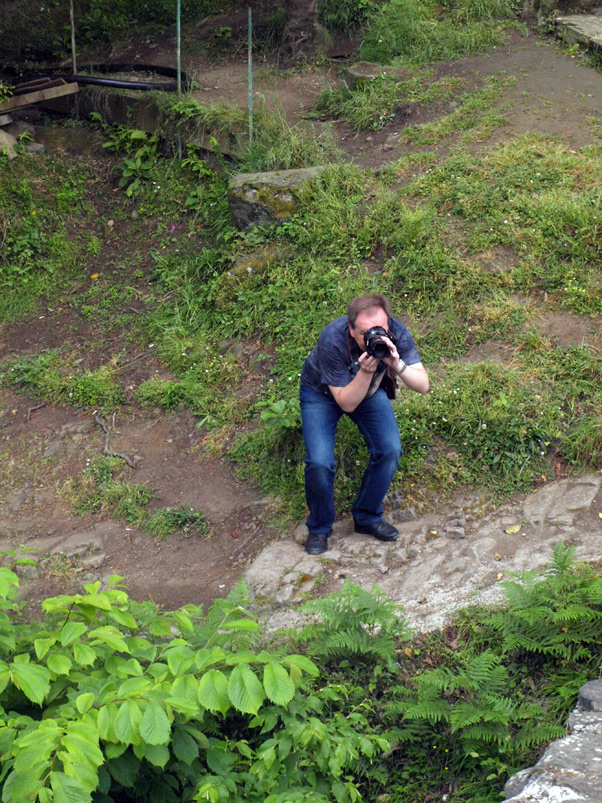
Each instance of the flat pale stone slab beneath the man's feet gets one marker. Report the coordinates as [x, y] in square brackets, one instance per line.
[430, 570]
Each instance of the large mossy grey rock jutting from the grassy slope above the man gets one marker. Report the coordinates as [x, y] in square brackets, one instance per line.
[258, 199]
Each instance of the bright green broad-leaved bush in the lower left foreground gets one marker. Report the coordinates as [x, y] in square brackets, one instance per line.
[107, 699]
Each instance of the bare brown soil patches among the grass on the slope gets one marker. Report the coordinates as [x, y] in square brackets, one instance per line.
[41, 447]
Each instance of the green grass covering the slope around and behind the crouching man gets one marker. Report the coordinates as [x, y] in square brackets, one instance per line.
[430, 225]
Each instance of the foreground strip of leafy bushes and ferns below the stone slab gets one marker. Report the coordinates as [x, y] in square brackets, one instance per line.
[109, 700]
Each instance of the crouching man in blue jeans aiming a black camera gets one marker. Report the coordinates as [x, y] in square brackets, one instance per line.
[340, 377]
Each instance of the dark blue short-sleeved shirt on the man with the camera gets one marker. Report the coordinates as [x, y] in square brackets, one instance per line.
[333, 361]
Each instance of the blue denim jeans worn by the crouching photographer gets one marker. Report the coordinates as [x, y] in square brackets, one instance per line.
[375, 420]
